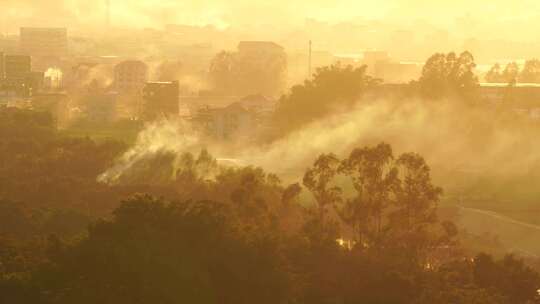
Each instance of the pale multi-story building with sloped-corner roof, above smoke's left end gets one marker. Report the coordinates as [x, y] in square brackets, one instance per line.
[130, 76]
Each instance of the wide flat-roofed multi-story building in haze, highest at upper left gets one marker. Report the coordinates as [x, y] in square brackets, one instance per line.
[44, 41]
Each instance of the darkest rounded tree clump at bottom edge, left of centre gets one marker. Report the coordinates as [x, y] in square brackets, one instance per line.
[169, 253]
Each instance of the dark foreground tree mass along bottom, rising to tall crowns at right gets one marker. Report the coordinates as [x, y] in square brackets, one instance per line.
[380, 243]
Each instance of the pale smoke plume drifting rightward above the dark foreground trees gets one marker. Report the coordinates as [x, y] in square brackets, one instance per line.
[449, 136]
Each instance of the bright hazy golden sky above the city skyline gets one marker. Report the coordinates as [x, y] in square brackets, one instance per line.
[519, 14]
